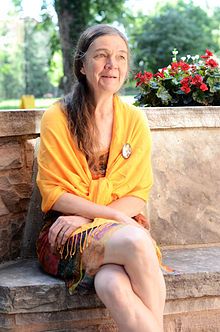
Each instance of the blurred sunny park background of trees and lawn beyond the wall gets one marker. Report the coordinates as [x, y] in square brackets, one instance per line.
[37, 39]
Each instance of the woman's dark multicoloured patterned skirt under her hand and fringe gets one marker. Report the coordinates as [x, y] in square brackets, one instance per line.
[81, 256]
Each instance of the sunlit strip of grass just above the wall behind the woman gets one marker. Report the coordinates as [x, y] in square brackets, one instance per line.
[44, 102]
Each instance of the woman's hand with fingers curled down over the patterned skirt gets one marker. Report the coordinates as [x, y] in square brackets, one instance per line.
[63, 227]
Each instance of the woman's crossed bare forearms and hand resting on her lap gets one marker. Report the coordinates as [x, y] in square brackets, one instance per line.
[82, 211]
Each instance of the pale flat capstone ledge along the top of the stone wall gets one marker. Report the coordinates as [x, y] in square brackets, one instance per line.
[26, 122]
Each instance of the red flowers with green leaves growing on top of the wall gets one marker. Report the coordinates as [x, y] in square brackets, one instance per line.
[191, 81]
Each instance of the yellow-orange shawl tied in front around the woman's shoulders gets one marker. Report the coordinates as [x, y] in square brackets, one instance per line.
[63, 168]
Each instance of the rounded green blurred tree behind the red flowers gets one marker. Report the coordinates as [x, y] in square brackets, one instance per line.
[185, 27]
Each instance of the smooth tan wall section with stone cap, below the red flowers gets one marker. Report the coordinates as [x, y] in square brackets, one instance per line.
[184, 206]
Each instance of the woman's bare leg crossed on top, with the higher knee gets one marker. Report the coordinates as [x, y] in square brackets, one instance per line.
[132, 248]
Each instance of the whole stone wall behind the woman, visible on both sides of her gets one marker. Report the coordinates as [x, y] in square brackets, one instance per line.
[184, 204]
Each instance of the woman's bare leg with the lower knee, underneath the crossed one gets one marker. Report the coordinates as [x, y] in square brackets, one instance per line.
[113, 287]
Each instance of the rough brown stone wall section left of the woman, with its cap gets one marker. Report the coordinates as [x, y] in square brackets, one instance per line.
[18, 131]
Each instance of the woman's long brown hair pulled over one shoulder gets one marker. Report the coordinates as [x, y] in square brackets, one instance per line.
[78, 104]
